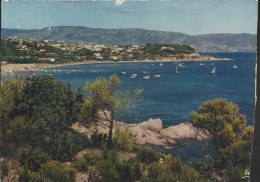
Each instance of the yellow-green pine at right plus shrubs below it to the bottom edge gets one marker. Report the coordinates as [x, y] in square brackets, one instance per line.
[231, 137]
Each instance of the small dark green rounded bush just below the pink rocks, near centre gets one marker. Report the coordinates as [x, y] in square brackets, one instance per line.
[148, 156]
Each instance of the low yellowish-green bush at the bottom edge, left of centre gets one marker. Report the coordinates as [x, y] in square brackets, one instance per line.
[56, 171]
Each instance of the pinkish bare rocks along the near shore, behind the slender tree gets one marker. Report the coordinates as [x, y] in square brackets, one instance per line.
[151, 132]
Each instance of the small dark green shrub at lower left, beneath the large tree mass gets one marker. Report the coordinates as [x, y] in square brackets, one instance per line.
[33, 159]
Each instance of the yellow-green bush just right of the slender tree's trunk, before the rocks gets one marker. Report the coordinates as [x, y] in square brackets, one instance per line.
[123, 140]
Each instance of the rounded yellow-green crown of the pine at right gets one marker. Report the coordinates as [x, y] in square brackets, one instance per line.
[221, 119]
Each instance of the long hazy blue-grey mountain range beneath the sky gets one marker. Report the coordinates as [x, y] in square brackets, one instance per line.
[77, 34]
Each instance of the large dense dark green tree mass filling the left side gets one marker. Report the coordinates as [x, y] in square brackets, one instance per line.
[39, 112]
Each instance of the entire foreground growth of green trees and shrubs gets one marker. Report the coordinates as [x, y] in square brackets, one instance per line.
[36, 118]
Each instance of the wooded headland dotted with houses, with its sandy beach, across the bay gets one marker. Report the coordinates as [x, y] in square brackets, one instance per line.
[19, 55]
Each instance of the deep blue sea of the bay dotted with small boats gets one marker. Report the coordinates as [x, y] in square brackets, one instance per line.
[172, 97]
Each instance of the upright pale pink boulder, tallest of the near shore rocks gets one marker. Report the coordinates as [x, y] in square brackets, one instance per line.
[154, 125]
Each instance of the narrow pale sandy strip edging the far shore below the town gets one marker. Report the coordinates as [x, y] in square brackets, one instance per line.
[31, 67]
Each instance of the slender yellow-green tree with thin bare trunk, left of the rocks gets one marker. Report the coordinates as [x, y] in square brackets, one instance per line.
[103, 102]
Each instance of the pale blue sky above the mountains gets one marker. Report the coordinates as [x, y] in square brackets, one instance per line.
[193, 17]
